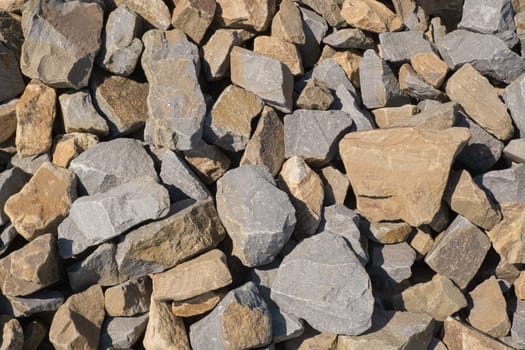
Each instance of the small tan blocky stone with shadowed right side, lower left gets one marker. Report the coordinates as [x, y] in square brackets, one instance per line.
[129, 298]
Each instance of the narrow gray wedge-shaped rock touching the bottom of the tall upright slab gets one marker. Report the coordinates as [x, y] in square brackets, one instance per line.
[180, 180]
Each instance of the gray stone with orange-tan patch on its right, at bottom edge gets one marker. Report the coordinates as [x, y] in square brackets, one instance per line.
[240, 321]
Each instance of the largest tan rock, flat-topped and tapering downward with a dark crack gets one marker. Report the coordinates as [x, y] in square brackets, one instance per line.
[400, 174]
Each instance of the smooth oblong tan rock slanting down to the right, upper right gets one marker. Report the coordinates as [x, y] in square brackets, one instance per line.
[481, 101]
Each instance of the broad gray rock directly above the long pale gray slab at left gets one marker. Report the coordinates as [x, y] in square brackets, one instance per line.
[112, 163]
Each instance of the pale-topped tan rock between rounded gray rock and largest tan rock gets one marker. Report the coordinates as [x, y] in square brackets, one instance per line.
[306, 192]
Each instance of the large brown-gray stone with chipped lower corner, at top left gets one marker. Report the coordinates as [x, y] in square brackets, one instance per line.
[61, 42]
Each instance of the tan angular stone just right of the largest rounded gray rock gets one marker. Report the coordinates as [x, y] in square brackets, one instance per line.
[438, 298]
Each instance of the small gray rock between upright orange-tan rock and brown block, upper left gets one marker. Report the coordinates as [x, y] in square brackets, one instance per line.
[79, 114]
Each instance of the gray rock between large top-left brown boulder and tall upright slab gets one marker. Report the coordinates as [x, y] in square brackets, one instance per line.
[121, 47]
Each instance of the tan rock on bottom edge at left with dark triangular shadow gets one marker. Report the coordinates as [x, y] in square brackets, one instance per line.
[76, 324]
